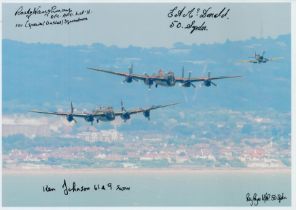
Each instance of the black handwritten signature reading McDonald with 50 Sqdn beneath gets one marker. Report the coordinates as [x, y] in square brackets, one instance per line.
[194, 18]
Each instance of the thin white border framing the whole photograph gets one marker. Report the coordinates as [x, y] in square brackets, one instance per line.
[293, 96]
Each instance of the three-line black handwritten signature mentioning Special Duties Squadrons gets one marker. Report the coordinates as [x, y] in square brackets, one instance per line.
[48, 16]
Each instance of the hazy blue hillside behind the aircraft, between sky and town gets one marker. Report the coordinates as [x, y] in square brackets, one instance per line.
[48, 76]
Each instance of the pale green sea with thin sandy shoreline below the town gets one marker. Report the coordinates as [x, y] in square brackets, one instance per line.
[151, 188]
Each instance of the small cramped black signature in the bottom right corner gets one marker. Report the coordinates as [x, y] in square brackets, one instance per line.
[255, 199]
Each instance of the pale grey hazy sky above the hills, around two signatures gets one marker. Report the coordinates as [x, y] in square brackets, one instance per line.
[147, 25]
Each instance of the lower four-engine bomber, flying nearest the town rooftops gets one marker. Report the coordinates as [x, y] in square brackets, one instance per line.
[104, 113]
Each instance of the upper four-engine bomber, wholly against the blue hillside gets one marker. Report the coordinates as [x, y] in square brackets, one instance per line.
[164, 79]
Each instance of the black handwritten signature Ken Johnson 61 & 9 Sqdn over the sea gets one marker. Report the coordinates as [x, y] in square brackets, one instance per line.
[73, 187]
